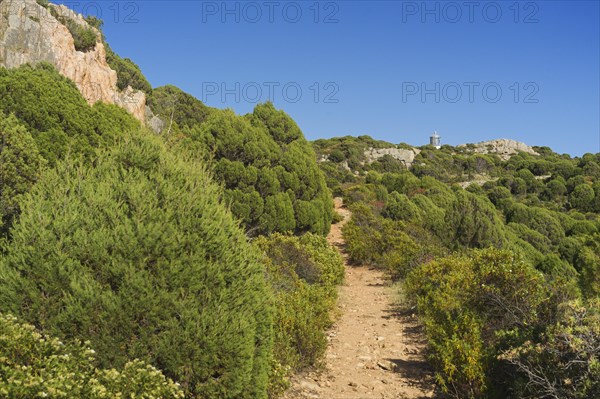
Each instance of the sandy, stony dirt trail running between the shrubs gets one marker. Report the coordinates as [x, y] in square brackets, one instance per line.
[375, 350]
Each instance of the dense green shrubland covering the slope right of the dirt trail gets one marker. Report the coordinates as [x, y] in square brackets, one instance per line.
[504, 273]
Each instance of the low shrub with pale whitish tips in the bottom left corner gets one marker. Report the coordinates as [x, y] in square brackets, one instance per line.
[35, 365]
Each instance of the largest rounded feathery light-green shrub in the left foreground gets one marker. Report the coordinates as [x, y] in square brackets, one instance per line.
[137, 254]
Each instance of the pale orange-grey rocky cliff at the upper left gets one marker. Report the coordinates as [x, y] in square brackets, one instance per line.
[29, 33]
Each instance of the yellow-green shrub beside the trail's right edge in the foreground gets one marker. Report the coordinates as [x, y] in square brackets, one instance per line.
[473, 306]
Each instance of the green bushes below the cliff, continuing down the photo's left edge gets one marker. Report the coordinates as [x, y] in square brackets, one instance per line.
[43, 117]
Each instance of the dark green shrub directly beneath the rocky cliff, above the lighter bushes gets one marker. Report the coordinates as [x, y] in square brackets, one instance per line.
[52, 109]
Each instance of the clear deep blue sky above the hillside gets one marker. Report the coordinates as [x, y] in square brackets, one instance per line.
[372, 60]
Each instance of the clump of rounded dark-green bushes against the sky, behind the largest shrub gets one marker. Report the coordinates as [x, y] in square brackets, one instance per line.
[268, 169]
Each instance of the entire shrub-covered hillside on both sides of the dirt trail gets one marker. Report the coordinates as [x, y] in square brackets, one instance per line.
[193, 263]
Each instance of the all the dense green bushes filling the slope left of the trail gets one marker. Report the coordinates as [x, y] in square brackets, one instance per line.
[136, 253]
